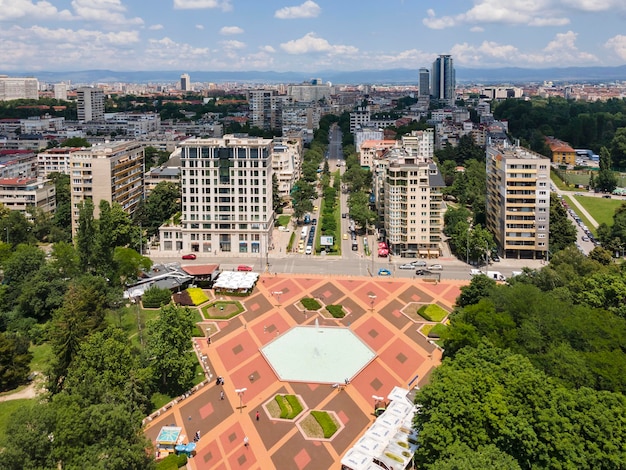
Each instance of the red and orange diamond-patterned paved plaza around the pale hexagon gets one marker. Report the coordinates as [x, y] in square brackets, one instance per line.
[375, 316]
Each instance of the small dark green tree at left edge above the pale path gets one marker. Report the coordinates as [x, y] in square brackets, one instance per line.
[14, 360]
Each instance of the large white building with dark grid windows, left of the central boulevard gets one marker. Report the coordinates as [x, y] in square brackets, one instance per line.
[226, 188]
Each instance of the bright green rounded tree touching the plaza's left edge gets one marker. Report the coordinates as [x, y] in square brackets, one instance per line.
[168, 348]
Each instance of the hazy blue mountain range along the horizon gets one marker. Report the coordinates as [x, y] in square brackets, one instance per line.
[512, 75]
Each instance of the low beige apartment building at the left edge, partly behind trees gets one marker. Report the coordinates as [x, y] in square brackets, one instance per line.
[20, 194]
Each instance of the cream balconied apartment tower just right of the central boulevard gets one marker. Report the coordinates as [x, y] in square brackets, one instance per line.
[413, 206]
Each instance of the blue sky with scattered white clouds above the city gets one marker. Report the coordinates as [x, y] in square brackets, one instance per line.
[309, 35]
